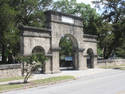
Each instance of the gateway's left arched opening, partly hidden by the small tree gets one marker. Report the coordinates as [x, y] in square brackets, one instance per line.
[39, 50]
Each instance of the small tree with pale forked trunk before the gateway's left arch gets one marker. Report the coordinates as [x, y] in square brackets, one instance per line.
[32, 62]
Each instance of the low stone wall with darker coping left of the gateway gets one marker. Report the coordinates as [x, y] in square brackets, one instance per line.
[10, 70]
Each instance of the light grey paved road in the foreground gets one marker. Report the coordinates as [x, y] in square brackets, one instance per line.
[111, 82]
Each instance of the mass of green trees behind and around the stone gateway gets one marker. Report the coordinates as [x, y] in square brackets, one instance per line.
[109, 26]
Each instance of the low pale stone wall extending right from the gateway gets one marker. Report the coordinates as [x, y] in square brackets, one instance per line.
[110, 62]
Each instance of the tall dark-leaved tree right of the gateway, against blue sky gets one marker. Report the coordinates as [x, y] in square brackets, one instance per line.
[113, 15]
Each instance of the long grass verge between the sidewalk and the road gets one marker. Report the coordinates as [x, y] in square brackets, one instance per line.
[7, 87]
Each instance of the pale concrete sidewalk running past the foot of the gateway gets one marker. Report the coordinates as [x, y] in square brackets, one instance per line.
[75, 73]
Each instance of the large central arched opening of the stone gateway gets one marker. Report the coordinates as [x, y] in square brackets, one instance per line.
[68, 53]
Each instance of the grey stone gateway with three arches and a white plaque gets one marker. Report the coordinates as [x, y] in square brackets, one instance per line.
[47, 40]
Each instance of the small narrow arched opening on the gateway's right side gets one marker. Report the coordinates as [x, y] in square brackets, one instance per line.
[90, 58]
